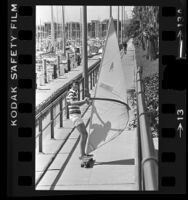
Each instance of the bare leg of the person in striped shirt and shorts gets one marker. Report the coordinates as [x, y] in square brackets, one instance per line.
[83, 133]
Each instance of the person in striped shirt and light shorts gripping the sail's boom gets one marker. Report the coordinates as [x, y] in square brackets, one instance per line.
[75, 115]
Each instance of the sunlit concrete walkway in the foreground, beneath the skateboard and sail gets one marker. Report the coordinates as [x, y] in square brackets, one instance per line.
[115, 167]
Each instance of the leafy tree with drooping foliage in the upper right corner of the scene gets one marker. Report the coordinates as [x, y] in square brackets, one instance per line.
[144, 29]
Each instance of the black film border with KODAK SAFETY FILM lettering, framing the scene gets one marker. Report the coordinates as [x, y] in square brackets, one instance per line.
[21, 141]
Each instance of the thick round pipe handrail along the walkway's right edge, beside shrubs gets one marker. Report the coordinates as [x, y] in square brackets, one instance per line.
[149, 164]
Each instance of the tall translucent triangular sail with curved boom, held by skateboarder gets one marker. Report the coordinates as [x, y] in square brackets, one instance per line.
[109, 116]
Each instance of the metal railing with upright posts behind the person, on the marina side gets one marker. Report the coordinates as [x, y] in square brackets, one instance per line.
[58, 99]
